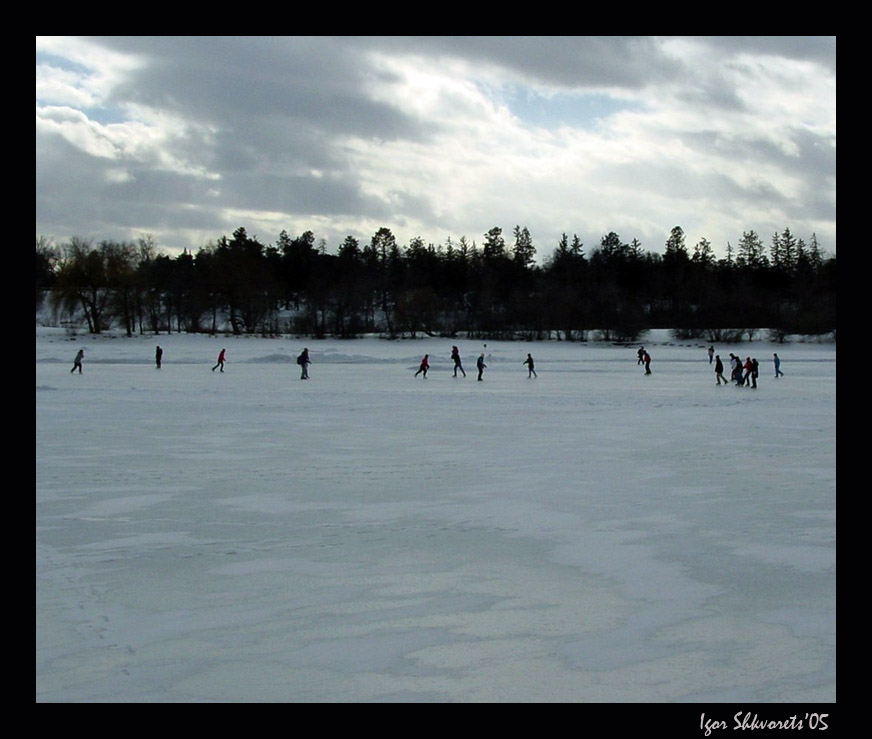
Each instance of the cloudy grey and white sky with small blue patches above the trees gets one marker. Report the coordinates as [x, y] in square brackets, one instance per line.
[189, 138]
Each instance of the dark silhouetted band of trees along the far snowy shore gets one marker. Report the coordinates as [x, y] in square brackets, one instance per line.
[493, 290]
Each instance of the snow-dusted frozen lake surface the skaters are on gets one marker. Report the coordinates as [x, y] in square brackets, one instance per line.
[592, 535]
